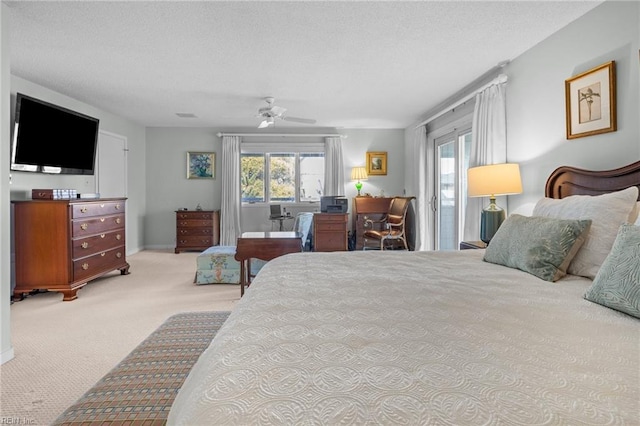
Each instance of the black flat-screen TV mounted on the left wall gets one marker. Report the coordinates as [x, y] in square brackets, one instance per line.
[51, 139]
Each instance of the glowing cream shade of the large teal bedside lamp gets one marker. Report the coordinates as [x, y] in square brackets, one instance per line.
[494, 179]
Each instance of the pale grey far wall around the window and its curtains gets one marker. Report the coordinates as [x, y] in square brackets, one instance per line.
[169, 189]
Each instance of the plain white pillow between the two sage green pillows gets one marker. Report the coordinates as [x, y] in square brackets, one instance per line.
[607, 212]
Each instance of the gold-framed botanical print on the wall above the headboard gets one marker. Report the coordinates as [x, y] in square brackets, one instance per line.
[591, 102]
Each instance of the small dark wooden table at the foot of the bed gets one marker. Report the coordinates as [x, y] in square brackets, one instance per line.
[265, 246]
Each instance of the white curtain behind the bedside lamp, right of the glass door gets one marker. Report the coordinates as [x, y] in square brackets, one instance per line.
[488, 146]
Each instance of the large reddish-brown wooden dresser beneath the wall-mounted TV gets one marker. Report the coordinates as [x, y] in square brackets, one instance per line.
[60, 245]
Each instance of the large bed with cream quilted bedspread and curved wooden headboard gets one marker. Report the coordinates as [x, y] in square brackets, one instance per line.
[428, 337]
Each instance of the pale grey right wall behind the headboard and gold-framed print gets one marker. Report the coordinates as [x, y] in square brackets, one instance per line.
[536, 106]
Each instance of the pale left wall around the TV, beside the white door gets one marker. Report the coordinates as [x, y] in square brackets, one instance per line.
[24, 182]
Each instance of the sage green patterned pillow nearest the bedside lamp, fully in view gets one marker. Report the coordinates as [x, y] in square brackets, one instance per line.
[541, 246]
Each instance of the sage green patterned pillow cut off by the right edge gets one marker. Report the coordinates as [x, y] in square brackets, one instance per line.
[617, 284]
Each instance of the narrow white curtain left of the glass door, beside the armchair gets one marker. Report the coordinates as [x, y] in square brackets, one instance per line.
[423, 182]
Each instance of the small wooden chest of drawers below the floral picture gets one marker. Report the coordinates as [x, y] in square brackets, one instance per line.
[197, 229]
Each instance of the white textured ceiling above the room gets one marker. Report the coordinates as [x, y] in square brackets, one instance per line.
[345, 64]
